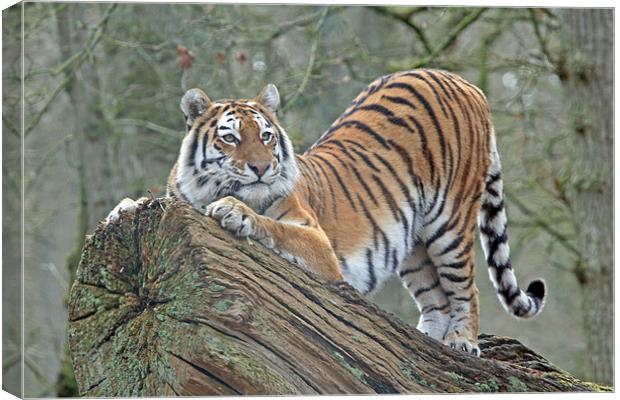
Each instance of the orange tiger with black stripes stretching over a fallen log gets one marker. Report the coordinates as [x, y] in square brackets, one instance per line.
[396, 186]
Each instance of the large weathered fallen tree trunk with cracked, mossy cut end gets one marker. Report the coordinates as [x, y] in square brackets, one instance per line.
[166, 303]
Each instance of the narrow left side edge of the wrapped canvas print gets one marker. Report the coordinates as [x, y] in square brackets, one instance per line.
[12, 206]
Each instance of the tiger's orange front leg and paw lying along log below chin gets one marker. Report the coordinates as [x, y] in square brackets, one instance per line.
[307, 247]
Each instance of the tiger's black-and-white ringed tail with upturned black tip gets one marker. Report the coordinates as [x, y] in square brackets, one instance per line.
[492, 222]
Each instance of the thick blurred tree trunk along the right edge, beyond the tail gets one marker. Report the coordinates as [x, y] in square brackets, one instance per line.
[589, 84]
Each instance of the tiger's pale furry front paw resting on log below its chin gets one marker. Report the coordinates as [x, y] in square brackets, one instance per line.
[234, 216]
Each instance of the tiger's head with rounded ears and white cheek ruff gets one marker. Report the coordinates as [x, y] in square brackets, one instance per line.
[234, 148]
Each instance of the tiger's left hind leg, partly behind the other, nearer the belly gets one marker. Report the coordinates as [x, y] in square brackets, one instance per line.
[419, 276]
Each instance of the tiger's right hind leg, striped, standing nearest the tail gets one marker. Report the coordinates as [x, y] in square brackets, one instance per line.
[453, 256]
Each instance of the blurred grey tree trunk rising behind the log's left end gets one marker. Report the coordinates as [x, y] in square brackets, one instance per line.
[91, 148]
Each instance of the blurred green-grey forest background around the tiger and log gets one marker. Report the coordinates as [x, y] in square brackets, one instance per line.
[102, 85]
